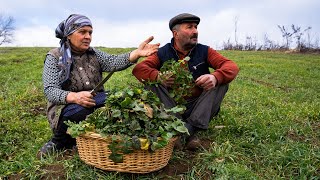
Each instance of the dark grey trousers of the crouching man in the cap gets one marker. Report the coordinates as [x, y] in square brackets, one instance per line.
[199, 110]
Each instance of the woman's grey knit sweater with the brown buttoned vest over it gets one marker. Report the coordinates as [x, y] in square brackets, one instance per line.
[85, 74]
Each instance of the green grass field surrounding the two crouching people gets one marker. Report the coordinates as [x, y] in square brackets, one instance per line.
[268, 127]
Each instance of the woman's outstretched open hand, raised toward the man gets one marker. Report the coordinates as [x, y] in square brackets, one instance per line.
[144, 49]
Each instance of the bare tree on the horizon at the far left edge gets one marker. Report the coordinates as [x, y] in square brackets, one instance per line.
[6, 29]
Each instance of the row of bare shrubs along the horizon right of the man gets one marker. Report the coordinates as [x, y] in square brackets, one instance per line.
[296, 39]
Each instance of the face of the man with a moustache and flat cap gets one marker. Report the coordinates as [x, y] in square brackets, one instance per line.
[187, 35]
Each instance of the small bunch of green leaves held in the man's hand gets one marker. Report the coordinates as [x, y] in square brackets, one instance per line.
[183, 80]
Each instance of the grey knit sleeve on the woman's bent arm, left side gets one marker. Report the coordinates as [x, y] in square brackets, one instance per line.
[52, 83]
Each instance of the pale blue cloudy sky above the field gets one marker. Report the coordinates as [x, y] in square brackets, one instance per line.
[126, 23]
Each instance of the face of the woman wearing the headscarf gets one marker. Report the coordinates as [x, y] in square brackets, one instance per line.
[80, 40]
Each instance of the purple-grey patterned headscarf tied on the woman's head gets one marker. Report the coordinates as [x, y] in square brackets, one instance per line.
[64, 29]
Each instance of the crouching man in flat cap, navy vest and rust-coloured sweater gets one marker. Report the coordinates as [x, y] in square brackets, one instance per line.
[210, 88]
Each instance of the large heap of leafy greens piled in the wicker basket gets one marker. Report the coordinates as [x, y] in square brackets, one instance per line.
[134, 118]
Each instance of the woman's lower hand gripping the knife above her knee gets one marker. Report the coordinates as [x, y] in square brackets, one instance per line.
[83, 98]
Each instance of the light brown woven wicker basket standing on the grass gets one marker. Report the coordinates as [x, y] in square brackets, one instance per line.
[93, 150]
